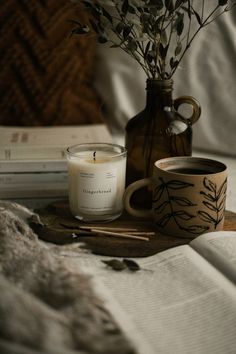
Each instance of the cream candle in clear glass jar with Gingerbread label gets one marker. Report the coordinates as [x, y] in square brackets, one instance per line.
[96, 181]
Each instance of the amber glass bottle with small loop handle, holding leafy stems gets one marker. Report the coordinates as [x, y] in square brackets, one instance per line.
[157, 132]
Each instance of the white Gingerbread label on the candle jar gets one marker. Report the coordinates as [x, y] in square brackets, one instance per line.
[97, 190]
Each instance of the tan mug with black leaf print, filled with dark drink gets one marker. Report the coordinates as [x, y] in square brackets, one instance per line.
[189, 196]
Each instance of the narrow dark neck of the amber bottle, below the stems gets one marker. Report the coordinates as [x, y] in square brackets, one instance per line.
[159, 93]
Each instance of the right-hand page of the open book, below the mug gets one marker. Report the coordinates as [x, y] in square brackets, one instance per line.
[219, 248]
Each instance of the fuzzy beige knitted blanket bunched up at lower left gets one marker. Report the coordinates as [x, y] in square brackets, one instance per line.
[45, 307]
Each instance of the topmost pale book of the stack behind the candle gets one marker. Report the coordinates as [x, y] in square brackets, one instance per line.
[47, 142]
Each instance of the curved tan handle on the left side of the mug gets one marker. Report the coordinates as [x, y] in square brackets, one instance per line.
[143, 213]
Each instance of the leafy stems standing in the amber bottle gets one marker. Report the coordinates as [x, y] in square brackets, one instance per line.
[156, 33]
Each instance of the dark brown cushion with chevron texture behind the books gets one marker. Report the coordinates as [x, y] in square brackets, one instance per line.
[45, 75]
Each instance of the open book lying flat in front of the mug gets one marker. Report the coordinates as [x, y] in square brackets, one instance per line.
[183, 300]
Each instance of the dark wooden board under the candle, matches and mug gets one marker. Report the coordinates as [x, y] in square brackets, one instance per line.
[60, 226]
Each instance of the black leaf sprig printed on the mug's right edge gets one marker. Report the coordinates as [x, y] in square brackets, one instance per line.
[214, 201]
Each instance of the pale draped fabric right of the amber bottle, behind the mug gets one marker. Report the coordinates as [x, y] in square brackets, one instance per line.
[208, 73]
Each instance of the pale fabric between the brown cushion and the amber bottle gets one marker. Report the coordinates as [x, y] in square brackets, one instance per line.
[120, 84]
